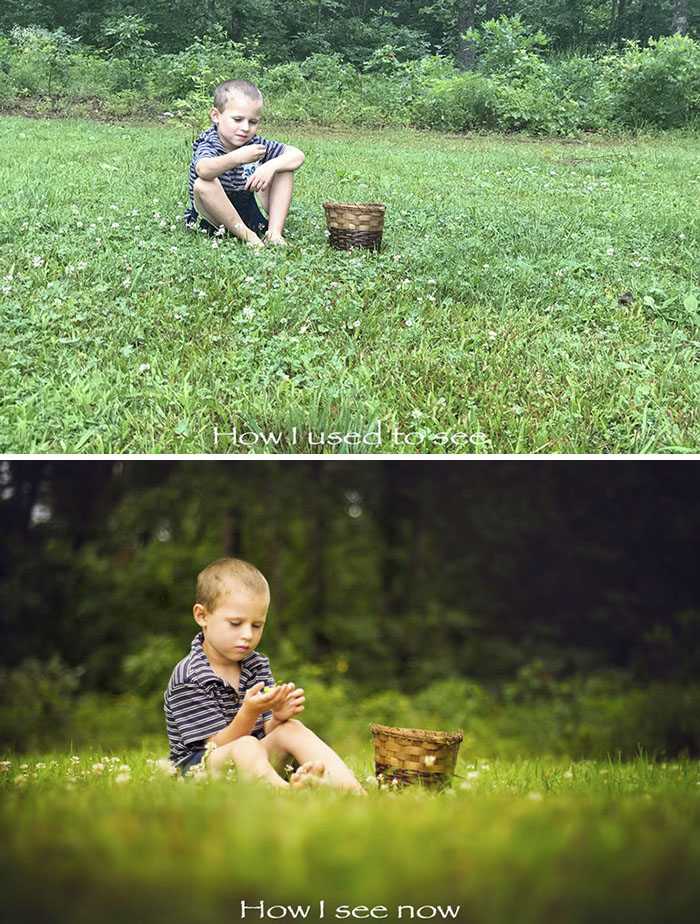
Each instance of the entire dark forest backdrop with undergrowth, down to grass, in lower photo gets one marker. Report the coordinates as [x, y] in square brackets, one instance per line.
[538, 604]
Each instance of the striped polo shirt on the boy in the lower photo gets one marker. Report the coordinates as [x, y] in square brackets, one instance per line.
[199, 703]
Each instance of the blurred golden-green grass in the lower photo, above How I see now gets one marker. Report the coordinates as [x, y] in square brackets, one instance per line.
[97, 838]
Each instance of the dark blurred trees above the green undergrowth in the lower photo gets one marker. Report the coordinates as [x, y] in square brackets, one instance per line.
[401, 573]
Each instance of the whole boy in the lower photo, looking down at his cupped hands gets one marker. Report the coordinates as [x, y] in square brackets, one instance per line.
[223, 693]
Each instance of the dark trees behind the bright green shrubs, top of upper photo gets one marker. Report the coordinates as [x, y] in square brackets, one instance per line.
[294, 29]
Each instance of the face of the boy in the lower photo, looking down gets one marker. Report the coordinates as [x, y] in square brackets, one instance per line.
[234, 627]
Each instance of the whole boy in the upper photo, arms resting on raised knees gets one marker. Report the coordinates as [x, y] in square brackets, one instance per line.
[231, 163]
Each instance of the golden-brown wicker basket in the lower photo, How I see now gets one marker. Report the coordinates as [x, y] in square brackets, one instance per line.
[413, 755]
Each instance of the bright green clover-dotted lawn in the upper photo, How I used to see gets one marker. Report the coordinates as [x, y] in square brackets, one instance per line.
[530, 297]
